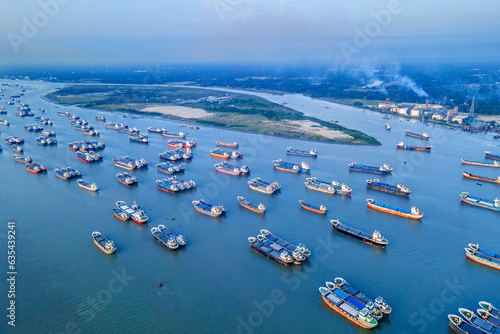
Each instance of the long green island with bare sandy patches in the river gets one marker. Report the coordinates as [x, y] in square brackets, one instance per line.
[223, 109]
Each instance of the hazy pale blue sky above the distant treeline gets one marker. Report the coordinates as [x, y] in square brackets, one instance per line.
[125, 31]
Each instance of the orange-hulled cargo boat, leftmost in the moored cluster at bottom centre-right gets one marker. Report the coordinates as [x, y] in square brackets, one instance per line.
[361, 318]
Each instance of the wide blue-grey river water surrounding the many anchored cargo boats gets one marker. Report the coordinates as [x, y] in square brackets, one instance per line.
[217, 283]
